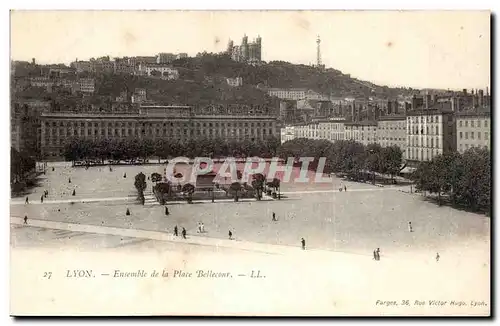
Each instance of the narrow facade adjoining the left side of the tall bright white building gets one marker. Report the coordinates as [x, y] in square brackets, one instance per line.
[391, 131]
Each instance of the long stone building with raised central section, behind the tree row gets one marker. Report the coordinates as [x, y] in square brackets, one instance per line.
[153, 121]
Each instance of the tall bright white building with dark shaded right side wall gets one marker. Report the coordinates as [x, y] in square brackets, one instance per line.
[429, 133]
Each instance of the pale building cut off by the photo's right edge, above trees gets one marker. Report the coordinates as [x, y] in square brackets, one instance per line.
[473, 130]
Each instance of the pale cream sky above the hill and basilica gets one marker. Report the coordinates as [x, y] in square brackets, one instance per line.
[420, 49]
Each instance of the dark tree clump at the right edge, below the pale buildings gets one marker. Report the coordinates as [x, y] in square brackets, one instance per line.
[463, 179]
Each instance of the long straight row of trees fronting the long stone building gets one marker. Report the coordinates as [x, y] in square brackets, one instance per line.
[84, 149]
